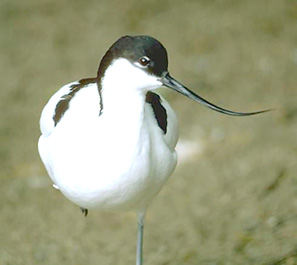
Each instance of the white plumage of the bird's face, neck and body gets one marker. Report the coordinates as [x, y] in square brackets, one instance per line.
[118, 160]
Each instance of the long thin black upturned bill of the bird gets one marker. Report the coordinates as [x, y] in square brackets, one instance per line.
[170, 82]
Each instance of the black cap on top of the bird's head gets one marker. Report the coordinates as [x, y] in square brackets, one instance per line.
[135, 47]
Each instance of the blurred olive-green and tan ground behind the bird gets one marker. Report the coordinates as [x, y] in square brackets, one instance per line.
[233, 197]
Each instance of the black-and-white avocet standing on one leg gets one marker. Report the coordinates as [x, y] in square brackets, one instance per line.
[108, 142]
